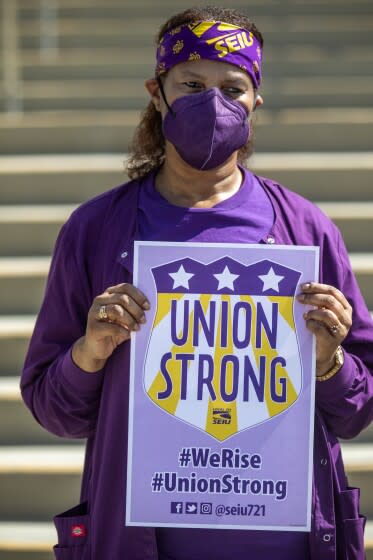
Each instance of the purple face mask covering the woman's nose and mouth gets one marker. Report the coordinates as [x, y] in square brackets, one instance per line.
[206, 128]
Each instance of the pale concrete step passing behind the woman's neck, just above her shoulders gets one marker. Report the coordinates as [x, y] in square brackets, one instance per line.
[70, 179]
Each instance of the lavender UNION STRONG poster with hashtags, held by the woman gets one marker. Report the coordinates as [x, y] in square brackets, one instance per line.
[222, 388]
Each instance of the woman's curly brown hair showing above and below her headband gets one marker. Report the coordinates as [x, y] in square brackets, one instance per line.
[147, 149]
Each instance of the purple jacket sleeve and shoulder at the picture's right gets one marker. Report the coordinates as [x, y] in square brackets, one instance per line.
[346, 400]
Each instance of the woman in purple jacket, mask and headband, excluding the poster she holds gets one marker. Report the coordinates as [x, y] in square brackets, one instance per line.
[188, 184]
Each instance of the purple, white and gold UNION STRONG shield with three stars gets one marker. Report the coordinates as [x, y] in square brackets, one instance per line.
[223, 352]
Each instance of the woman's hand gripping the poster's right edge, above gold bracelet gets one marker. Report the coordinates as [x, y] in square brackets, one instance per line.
[330, 321]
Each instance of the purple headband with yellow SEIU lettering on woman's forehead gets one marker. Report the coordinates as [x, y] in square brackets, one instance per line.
[212, 40]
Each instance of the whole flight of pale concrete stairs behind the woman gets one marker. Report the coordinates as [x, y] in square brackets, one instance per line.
[82, 103]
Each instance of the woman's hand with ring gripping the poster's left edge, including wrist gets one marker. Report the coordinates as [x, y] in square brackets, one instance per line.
[122, 311]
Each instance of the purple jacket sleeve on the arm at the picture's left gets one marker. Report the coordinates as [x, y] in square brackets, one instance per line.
[63, 398]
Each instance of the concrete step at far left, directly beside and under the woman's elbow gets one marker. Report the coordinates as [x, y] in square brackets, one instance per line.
[17, 425]
